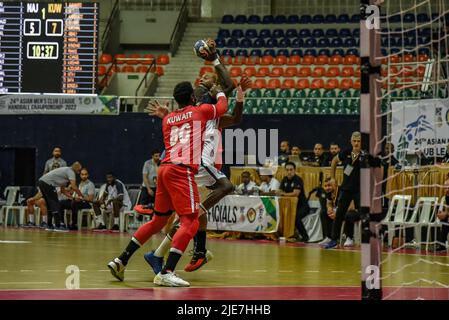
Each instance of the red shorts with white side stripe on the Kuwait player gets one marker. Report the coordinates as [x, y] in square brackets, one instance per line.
[176, 190]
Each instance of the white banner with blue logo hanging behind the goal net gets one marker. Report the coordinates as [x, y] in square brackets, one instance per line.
[420, 124]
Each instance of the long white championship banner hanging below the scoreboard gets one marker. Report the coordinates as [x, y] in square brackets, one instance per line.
[58, 104]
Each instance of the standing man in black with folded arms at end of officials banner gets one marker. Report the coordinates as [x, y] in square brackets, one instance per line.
[293, 186]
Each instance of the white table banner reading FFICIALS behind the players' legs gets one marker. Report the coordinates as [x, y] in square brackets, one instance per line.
[245, 214]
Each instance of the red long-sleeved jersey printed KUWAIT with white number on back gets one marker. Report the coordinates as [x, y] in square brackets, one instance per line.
[183, 132]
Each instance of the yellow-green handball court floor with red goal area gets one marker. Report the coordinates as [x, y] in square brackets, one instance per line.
[34, 263]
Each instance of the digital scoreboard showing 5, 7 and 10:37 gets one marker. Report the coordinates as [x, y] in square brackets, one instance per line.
[48, 47]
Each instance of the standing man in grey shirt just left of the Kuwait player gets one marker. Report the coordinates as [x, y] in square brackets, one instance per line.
[149, 174]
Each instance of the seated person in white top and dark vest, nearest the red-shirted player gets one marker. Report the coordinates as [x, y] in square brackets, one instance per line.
[113, 198]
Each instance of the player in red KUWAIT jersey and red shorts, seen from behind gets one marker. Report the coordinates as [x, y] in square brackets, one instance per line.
[176, 190]
